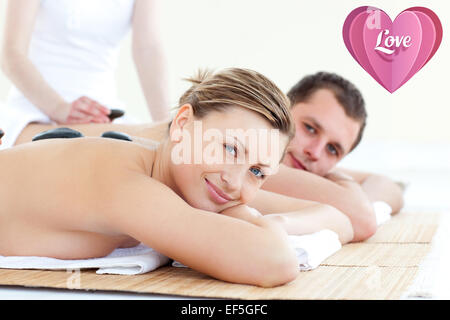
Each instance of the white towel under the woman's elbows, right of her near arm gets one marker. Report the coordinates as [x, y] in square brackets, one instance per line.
[312, 249]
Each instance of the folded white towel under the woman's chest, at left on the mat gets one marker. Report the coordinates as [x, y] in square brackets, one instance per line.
[126, 261]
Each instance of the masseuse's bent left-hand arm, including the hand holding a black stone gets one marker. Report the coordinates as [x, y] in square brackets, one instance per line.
[19, 25]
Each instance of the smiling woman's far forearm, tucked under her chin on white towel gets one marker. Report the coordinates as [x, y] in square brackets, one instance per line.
[299, 217]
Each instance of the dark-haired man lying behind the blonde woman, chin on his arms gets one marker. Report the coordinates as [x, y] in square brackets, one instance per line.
[330, 117]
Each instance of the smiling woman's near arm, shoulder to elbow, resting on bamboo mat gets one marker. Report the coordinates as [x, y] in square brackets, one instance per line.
[223, 247]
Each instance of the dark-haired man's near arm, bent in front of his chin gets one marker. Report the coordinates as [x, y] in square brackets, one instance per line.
[345, 195]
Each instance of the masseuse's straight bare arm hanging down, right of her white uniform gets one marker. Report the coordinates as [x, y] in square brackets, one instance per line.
[149, 59]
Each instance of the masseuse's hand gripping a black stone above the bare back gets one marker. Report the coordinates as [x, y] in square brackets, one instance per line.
[82, 110]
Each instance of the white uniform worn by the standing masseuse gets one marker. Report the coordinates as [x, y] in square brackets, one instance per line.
[75, 45]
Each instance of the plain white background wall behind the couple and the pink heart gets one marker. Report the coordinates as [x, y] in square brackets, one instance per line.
[285, 40]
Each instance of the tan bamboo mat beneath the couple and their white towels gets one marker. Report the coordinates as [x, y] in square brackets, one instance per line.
[380, 268]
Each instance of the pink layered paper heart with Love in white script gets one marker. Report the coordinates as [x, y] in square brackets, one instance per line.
[392, 52]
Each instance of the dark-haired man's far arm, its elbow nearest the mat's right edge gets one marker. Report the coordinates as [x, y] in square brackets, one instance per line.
[378, 188]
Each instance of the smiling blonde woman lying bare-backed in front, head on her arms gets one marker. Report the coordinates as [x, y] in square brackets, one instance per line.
[82, 198]
